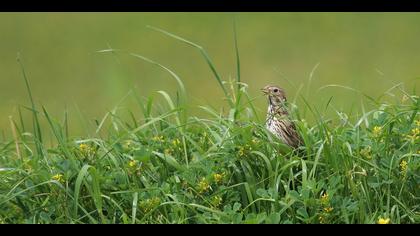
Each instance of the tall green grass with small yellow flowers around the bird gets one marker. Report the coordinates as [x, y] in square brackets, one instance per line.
[168, 166]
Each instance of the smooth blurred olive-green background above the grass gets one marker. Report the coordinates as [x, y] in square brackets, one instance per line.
[366, 51]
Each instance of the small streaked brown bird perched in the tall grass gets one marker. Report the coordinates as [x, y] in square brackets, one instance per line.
[278, 120]
